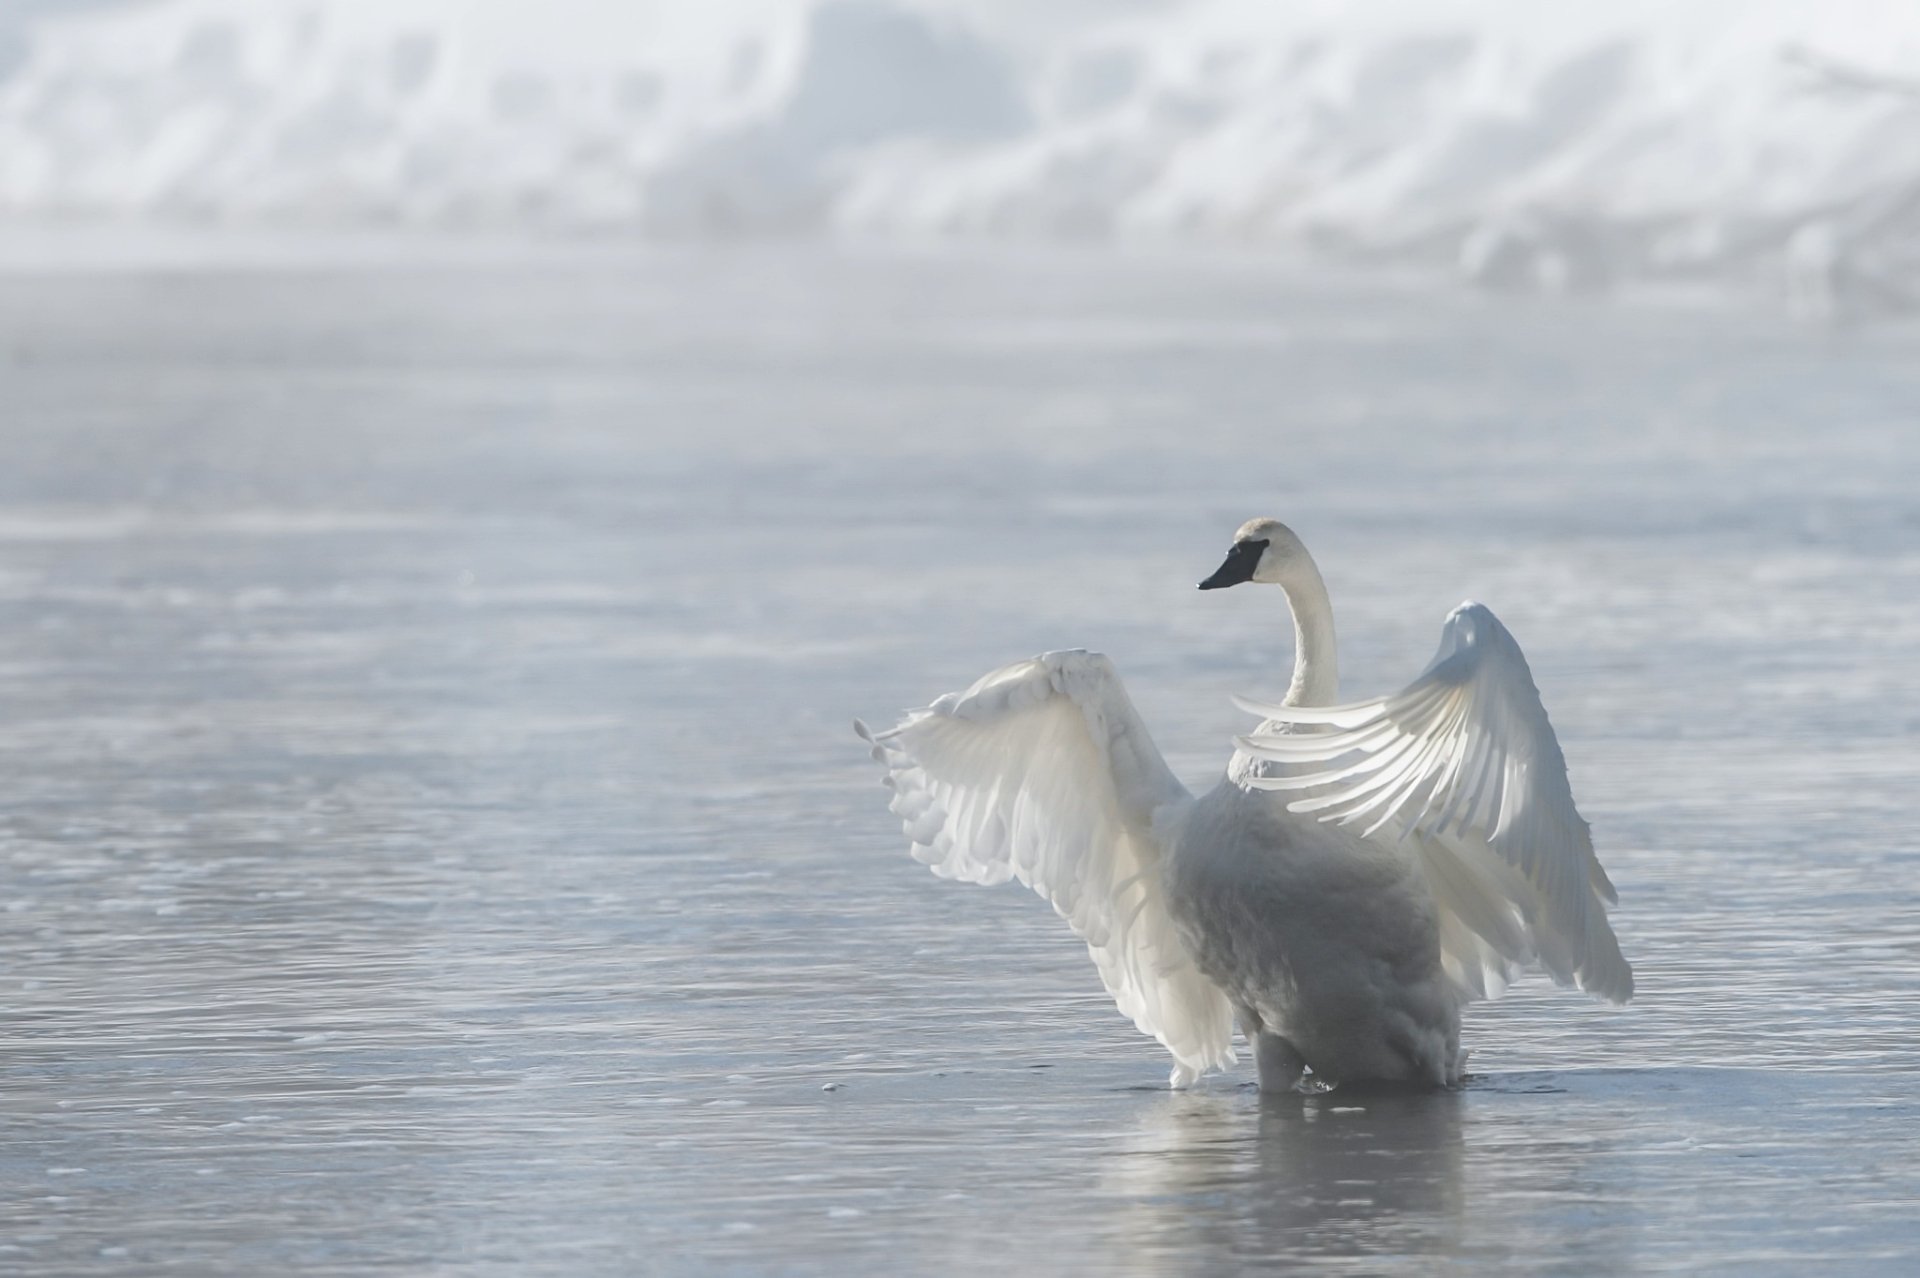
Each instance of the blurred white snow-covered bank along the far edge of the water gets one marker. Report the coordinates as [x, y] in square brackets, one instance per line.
[1762, 145]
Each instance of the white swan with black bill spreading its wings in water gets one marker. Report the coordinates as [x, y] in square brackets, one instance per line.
[1360, 874]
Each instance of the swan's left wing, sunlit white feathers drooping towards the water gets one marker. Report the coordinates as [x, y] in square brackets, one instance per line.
[1044, 772]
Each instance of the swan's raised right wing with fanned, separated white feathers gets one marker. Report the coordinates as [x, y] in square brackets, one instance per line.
[1464, 769]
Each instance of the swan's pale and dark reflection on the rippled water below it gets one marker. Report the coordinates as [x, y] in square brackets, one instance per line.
[1237, 1179]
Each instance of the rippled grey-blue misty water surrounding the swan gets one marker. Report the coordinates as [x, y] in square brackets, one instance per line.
[435, 841]
